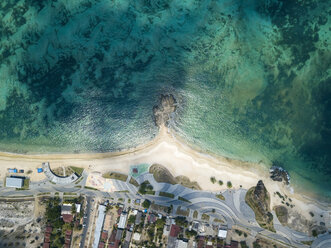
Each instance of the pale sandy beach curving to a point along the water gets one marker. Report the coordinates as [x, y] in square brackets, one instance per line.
[180, 159]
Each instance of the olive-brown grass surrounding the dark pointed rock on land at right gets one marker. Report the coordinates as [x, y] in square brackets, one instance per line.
[265, 221]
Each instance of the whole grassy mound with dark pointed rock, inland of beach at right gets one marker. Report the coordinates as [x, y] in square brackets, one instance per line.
[259, 200]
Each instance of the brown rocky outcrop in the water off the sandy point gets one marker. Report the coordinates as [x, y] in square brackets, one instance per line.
[164, 109]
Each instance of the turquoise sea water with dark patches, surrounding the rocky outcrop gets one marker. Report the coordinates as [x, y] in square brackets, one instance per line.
[252, 78]
